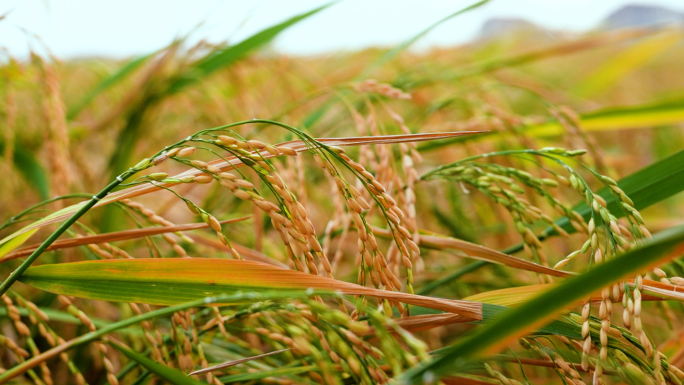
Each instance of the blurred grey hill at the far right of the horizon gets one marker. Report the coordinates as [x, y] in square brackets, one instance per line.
[642, 16]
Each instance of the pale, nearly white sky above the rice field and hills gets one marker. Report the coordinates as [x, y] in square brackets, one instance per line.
[72, 28]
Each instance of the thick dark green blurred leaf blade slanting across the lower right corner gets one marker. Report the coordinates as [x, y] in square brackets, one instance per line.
[516, 322]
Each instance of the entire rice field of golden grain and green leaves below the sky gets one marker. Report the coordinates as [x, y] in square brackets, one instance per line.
[379, 217]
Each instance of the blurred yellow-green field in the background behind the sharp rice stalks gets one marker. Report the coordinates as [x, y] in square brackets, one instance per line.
[108, 111]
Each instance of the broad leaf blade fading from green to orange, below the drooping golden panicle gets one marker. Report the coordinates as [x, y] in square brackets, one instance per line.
[173, 281]
